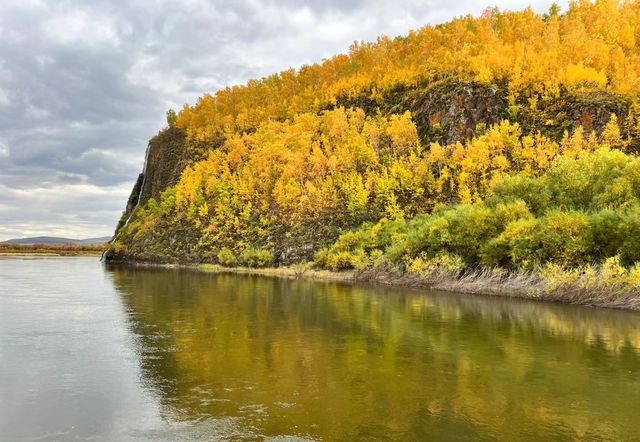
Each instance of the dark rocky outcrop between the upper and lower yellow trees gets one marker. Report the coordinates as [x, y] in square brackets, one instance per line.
[452, 109]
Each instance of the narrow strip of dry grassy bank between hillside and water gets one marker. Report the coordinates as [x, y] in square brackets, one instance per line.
[482, 283]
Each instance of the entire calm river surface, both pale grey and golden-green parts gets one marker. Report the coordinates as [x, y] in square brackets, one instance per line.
[118, 354]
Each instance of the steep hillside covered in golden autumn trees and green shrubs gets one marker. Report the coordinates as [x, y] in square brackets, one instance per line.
[508, 140]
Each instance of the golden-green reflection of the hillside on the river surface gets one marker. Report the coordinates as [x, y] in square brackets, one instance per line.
[354, 360]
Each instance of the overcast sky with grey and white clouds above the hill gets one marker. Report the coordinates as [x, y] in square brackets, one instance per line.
[84, 85]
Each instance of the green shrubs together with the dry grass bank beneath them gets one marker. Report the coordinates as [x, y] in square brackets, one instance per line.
[571, 234]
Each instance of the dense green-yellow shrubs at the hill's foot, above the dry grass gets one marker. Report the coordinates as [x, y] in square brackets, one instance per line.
[582, 210]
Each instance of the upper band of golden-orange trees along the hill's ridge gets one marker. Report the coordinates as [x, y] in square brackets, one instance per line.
[592, 44]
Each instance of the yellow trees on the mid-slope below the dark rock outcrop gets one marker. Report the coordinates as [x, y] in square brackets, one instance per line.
[341, 168]
